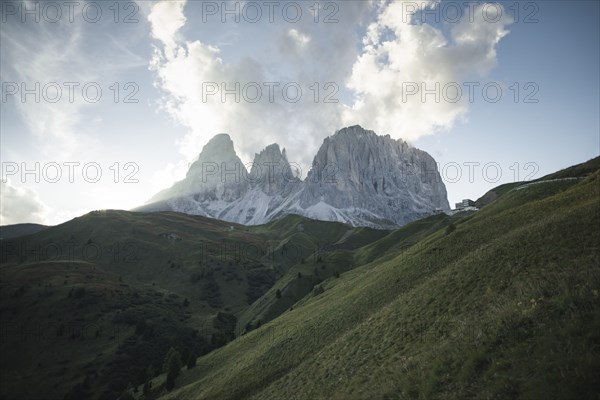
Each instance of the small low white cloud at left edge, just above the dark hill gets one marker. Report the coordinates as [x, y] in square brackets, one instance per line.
[20, 204]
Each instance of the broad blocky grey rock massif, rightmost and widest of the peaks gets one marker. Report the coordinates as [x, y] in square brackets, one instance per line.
[358, 170]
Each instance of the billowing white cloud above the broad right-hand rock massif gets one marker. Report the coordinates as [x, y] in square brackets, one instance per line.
[421, 55]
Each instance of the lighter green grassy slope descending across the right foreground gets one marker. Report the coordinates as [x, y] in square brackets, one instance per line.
[506, 305]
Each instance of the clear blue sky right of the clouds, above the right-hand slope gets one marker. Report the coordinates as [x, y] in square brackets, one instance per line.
[561, 54]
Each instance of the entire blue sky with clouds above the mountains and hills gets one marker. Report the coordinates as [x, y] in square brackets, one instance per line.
[106, 103]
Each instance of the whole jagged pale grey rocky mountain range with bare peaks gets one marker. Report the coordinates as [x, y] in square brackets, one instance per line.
[356, 177]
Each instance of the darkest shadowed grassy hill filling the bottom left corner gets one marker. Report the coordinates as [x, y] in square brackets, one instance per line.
[69, 321]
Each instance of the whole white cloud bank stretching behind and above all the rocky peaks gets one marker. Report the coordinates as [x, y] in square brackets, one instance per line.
[395, 51]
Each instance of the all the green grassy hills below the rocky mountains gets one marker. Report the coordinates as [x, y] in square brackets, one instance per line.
[499, 303]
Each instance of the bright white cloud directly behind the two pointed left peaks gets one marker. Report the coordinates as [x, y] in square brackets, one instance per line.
[193, 68]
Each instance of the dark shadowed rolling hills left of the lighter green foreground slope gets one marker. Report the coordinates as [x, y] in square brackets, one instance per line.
[93, 305]
